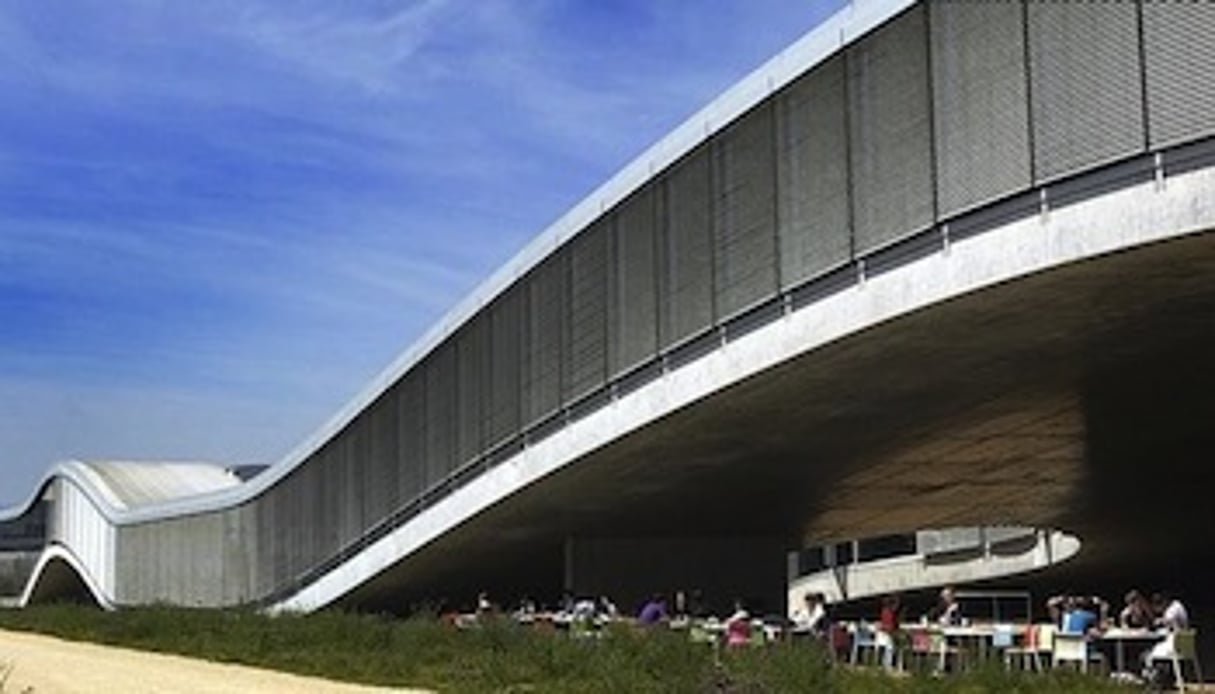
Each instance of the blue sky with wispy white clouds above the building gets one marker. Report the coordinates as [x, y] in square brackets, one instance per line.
[219, 221]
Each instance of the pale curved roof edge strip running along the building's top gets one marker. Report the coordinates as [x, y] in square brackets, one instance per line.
[820, 44]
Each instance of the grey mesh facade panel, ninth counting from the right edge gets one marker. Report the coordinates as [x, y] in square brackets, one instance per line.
[586, 337]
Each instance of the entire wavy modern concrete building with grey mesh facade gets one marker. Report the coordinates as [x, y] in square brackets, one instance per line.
[937, 264]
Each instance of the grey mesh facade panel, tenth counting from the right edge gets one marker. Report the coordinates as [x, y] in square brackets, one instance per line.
[546, 314]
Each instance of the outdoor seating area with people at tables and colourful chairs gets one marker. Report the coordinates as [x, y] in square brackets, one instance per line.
[1149, 642]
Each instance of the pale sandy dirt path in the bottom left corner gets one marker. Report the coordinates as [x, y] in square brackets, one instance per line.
[47, 665]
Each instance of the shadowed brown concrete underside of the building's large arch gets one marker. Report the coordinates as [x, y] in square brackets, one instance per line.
[1080, 398]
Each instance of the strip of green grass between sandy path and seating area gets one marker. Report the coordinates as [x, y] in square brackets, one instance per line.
[499, 657]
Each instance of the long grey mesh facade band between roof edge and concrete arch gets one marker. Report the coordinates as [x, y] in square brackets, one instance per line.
[945, 109]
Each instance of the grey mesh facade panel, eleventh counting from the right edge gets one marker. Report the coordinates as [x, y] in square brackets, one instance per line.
[507, 324]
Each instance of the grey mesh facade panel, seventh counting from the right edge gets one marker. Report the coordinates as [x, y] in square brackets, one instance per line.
[688, 250]
